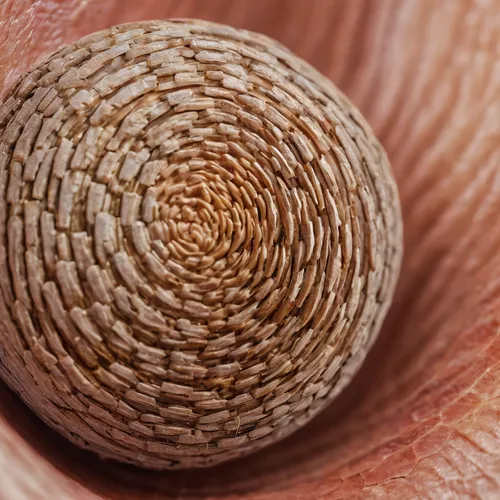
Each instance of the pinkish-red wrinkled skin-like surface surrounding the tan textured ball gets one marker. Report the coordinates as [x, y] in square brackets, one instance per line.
[421, 418]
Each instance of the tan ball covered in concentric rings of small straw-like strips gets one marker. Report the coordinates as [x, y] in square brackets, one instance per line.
[199, 240]
